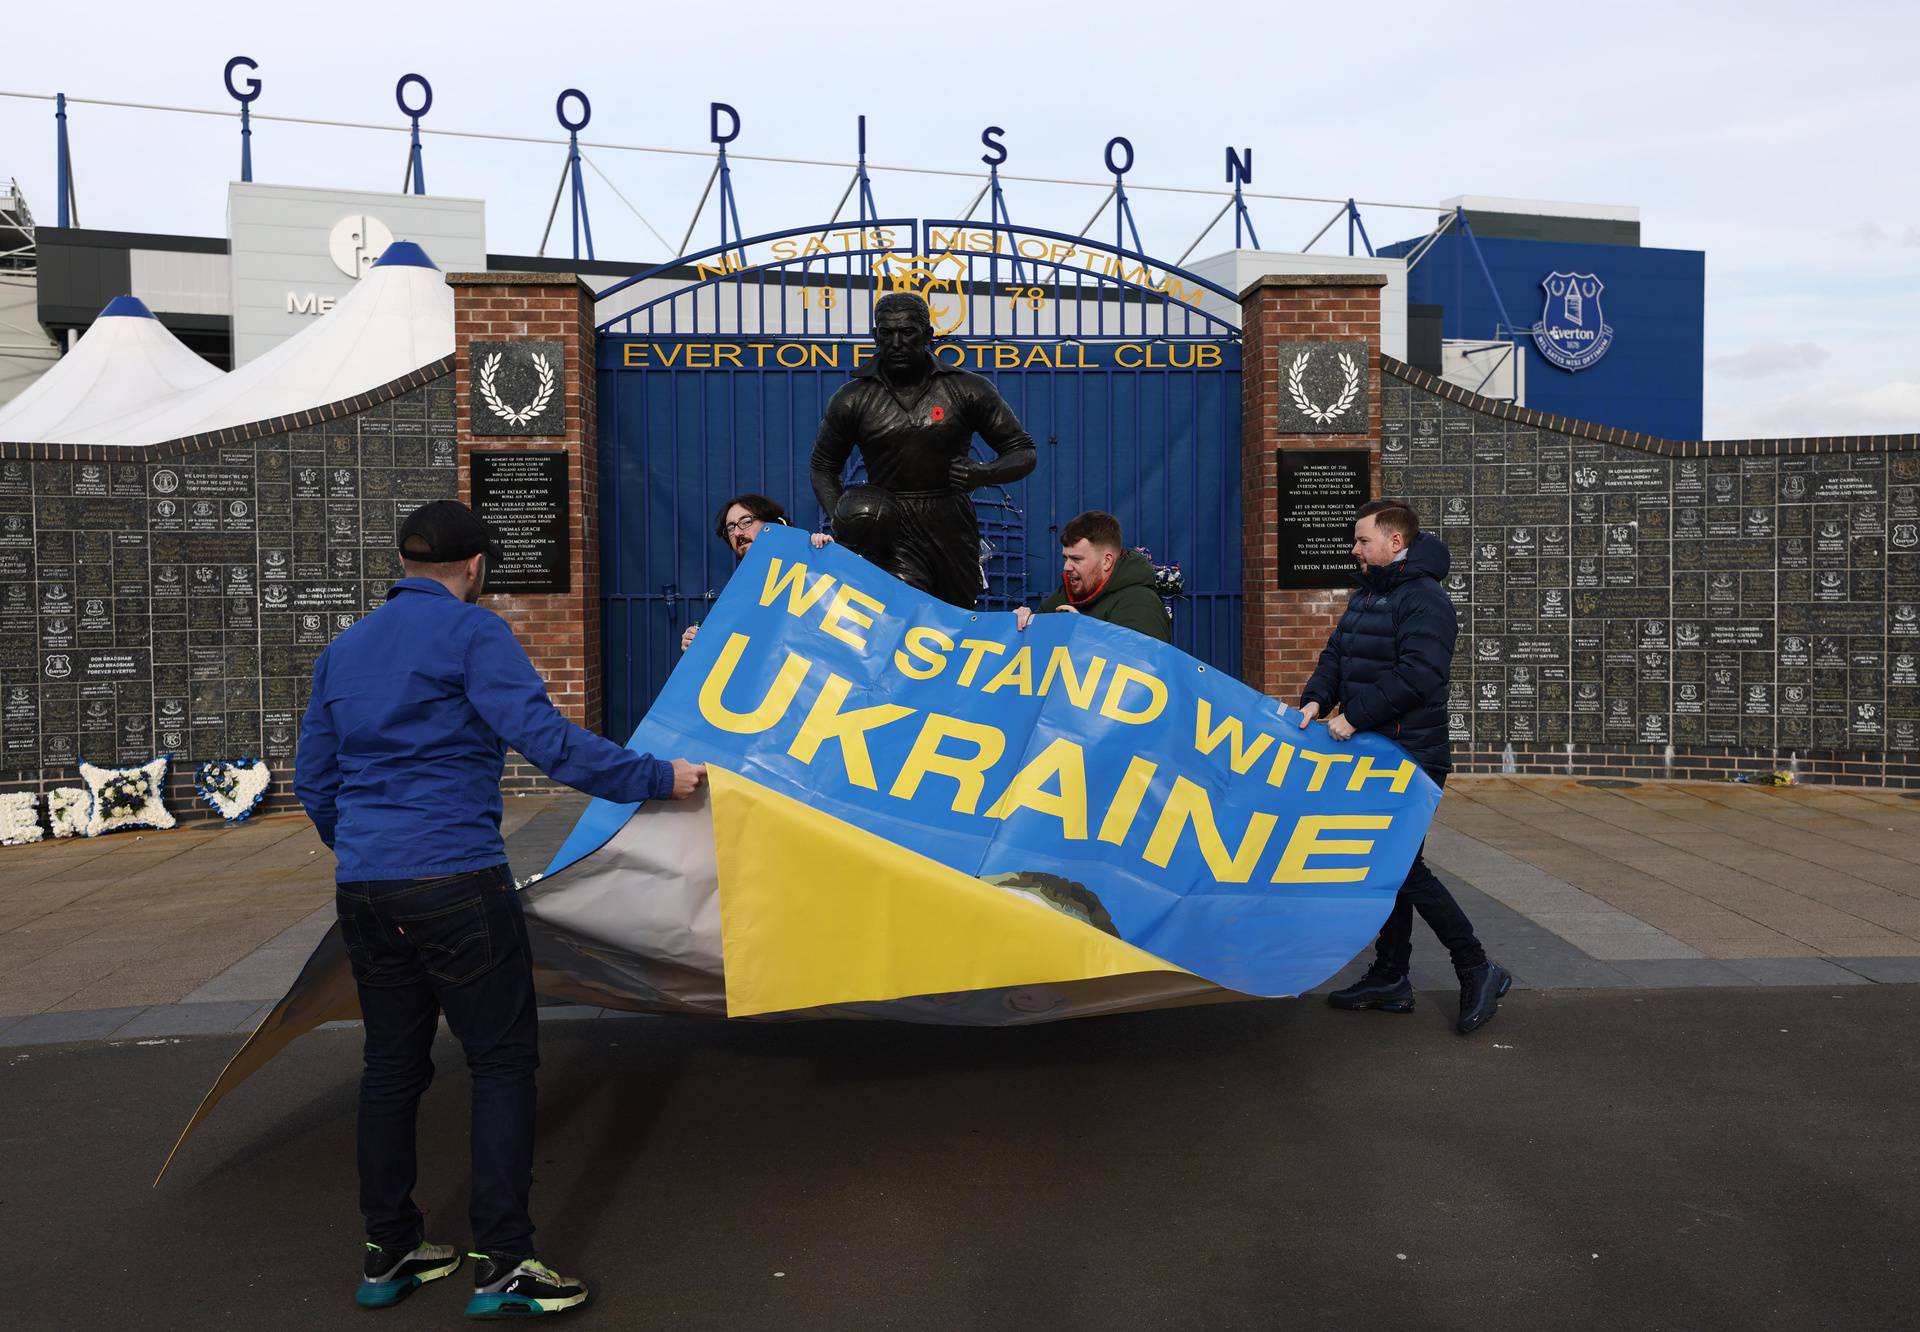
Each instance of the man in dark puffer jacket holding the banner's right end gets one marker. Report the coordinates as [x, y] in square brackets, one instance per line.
[1385, 669]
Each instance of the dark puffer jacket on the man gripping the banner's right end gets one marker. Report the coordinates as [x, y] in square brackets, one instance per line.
[1389, 659]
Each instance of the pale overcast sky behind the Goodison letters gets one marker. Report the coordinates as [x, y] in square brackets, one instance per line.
[1775, 137]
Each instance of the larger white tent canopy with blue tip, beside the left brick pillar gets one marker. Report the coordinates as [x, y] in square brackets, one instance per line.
[395, 321]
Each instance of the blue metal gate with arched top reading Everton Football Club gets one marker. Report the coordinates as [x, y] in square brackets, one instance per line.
[1124, 371]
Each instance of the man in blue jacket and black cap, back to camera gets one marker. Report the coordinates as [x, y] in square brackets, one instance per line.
[400, 763]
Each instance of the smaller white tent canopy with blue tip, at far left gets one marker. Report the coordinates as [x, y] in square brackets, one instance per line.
[126, 364]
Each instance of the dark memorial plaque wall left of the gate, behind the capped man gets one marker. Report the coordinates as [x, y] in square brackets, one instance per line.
[174, 600]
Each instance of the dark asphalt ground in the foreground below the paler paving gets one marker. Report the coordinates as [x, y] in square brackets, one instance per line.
[1629, 1158]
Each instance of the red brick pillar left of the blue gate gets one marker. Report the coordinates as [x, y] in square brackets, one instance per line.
[562, 632]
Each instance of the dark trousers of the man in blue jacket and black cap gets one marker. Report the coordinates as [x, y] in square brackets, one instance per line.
[458, 947]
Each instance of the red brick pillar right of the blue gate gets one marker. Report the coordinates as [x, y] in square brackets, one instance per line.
[1282, 632]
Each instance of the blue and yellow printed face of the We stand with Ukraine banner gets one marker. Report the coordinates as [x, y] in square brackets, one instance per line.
[913, 799]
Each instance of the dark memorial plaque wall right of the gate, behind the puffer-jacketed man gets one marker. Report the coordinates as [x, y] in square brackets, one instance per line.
[1650, 607]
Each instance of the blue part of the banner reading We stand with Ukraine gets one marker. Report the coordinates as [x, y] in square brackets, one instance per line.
[1168, 803]
